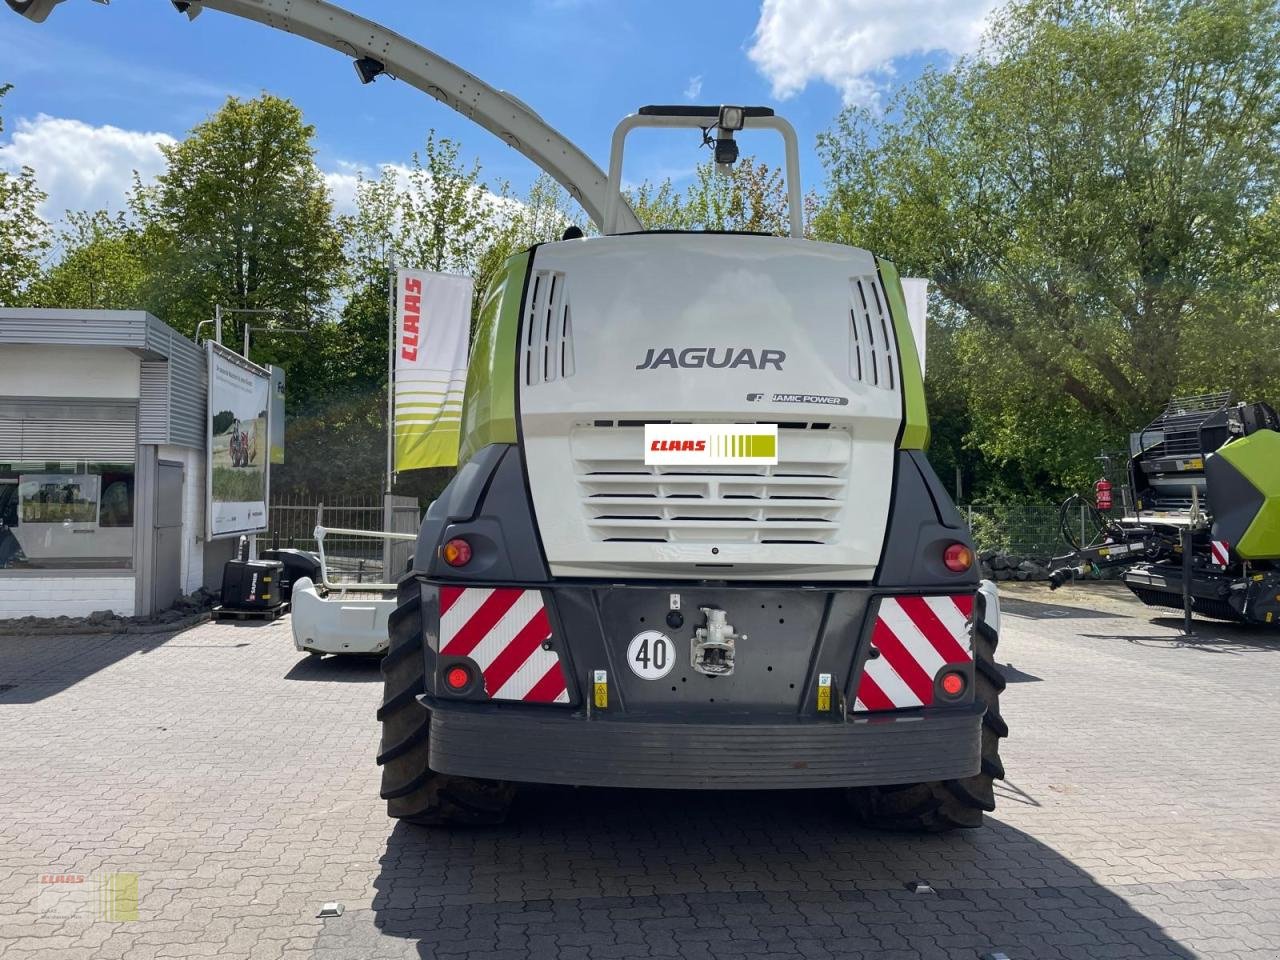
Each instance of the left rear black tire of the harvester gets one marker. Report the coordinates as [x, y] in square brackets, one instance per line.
[413, 790]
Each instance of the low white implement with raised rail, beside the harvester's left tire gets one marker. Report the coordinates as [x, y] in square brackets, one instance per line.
[340, 618]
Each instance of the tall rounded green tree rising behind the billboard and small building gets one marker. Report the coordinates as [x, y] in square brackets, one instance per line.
[241, 217]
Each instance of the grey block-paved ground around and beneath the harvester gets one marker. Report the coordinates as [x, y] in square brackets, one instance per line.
[236, 781]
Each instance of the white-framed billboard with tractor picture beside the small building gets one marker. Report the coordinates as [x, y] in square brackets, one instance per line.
[239, 444]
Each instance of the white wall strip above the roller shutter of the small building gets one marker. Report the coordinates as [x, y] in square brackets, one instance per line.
[99, 373]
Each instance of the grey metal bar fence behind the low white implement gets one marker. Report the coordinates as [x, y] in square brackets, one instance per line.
[351, 560]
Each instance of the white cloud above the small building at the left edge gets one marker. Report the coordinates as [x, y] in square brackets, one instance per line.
[83, 167]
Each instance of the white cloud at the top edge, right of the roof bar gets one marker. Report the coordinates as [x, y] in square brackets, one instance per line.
[853, 44]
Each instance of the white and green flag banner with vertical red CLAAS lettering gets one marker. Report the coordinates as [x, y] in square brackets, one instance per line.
[433, 326]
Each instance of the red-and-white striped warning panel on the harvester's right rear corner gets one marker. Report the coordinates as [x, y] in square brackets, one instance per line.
[916, 638]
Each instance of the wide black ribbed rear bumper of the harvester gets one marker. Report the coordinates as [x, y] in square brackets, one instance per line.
[546, 747]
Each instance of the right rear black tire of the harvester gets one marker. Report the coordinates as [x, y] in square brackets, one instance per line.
[948, 804]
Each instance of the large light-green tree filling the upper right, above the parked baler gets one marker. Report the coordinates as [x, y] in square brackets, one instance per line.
[1087, 195]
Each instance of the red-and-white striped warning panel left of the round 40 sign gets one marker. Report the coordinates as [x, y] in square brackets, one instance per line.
[504, 632]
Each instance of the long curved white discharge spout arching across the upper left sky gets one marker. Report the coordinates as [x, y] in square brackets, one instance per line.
[378, 51]
